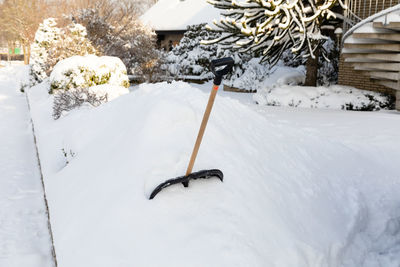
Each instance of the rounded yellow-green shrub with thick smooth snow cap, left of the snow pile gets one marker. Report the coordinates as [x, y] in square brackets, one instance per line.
[79, 72]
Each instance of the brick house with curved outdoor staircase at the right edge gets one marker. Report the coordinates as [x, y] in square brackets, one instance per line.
[370, 57]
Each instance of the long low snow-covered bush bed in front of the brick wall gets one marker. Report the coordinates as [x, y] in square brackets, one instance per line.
[333, 97]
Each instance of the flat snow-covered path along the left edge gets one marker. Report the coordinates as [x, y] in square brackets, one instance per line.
[24, 235]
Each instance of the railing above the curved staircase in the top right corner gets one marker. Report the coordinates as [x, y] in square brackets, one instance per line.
[358, 10]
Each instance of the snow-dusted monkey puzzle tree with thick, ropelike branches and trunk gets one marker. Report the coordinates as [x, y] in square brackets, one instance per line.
[269, 27]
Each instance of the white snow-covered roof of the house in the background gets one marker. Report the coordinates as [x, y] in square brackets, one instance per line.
[176, 15]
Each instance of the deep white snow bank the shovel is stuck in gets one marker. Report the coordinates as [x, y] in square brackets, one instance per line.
[302, 187]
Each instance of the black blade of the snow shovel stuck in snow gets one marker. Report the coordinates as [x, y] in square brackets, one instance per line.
[204, 174]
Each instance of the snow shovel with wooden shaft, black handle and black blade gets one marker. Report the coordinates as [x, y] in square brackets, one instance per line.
[227, 63]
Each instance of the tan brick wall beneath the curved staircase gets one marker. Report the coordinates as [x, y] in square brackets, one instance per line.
[355, 78]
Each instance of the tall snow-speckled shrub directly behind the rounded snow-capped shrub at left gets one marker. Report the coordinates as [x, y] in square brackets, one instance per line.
[53, 44]
